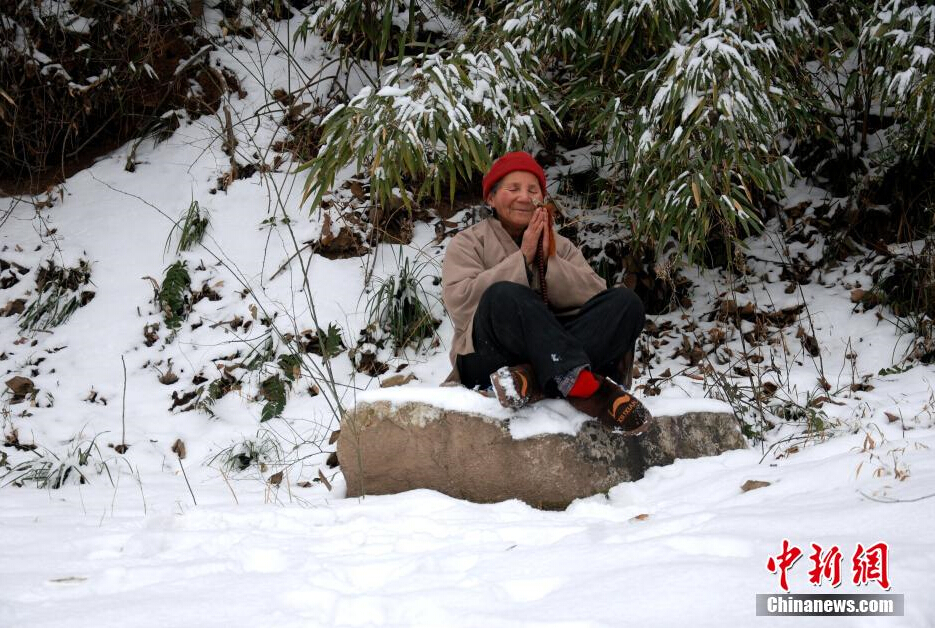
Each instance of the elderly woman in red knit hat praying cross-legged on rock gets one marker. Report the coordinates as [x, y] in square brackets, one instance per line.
[531, 317]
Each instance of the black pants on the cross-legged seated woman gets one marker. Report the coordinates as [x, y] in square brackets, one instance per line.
[512, 325]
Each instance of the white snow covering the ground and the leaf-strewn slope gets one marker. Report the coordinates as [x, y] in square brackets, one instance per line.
[683, 546]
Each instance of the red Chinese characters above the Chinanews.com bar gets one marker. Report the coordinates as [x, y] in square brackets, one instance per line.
[868, 565]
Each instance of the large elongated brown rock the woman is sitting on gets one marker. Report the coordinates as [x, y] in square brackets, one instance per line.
[389, 449]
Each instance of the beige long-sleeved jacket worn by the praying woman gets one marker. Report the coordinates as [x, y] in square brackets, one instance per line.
[484, 254]
